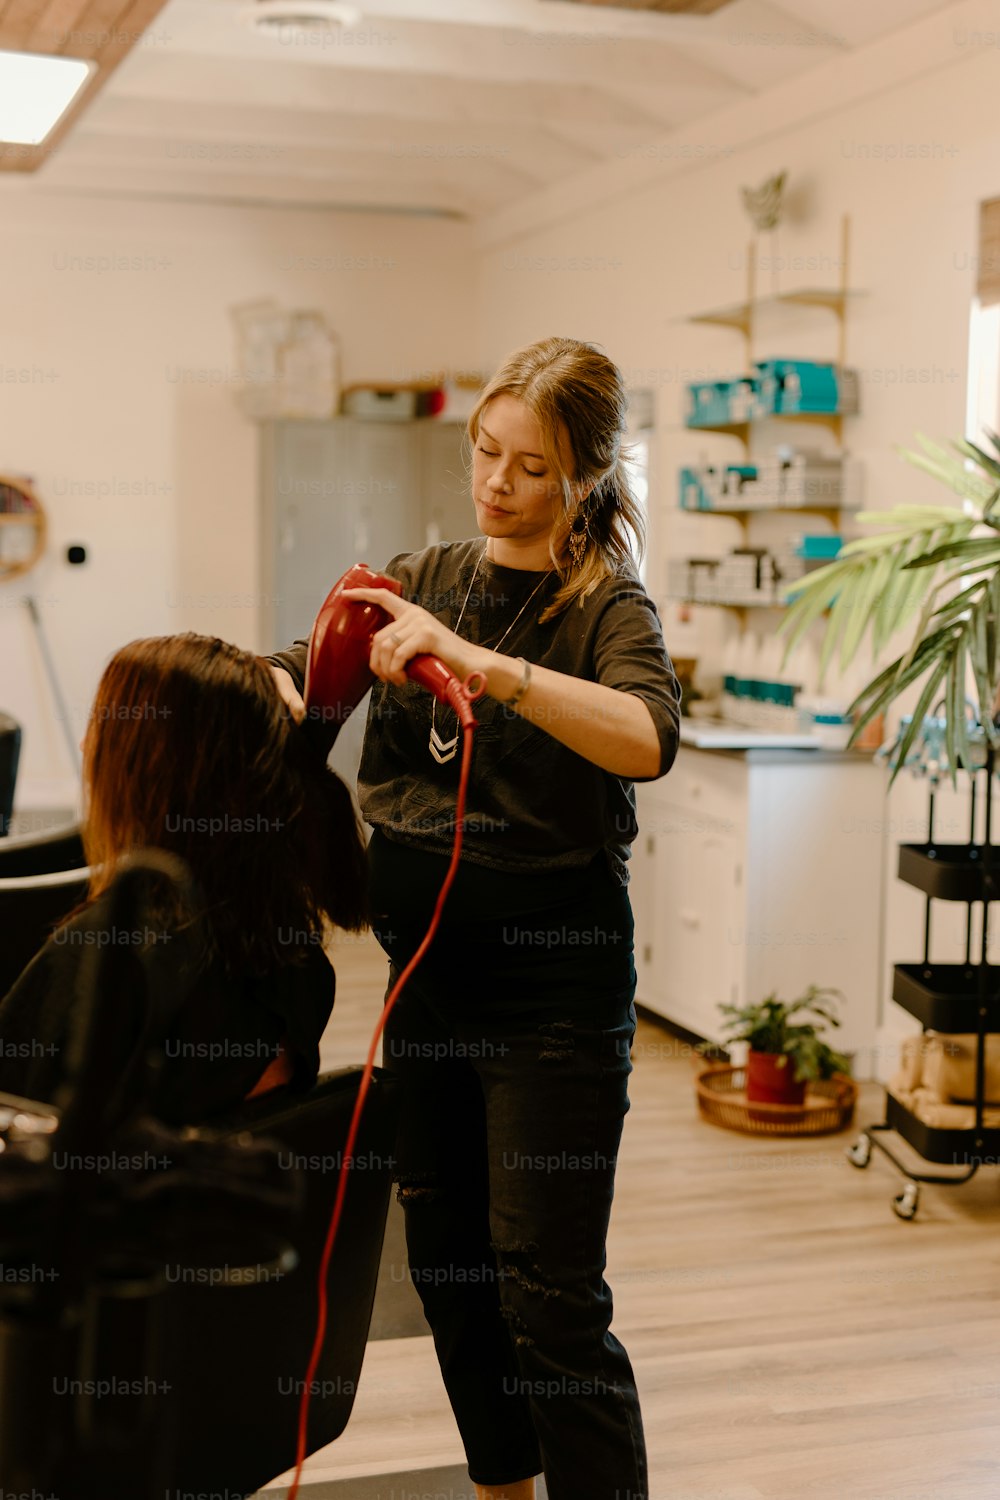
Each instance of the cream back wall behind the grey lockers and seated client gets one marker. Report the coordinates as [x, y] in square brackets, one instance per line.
[116, 371]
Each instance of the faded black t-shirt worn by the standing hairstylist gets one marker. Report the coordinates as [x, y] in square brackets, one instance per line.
[533, 803]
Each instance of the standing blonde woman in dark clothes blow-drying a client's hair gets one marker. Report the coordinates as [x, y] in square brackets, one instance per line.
[515, 1033]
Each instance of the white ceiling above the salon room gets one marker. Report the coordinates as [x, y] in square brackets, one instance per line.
[452, 107]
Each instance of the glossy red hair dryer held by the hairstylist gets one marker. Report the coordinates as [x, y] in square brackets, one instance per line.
[338, 673]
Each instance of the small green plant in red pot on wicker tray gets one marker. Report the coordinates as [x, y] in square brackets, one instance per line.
[786, 1054]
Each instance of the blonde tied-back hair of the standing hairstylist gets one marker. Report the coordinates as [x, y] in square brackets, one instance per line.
[573, 388]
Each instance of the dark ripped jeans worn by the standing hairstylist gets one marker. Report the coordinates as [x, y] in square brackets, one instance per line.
[513, 1040]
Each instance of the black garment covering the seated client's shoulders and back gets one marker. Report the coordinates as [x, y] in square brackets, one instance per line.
[223, 1036]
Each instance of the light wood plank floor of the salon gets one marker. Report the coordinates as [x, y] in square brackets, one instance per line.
[791, 1337]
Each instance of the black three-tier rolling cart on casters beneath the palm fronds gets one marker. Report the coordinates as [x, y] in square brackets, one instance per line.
[959, 998]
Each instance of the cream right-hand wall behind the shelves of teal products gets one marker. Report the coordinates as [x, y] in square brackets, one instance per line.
[906, 140]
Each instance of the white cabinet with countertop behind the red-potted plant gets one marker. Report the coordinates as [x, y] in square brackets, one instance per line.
[756, 872]
